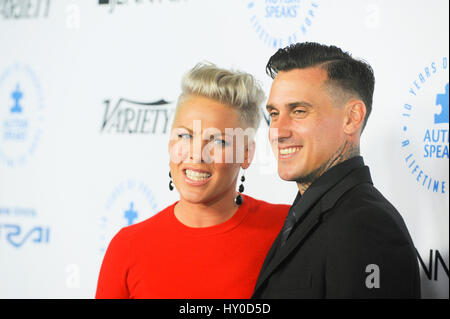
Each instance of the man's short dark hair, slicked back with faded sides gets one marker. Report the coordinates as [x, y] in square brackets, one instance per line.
[351, 75]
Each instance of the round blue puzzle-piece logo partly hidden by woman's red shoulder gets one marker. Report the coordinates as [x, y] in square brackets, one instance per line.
[130, 202]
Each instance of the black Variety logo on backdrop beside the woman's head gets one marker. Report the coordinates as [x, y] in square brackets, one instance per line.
[132, 117]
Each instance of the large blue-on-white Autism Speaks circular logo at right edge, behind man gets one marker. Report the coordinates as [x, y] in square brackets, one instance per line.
[425, 127]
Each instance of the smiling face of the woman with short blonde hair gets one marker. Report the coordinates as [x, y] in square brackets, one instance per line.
[203, 149]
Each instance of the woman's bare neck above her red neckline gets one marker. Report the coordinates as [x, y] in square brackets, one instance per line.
[207, 214]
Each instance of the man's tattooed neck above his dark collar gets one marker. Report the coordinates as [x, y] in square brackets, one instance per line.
[346, 151]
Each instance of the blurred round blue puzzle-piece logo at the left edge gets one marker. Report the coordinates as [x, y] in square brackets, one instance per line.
[21, 114]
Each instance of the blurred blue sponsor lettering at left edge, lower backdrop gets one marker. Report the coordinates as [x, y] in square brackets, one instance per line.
[18, 234]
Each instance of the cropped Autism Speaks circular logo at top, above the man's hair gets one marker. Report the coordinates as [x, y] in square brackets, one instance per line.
[279, 23]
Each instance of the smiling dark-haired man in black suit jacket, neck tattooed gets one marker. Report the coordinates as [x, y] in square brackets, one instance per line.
[341, 238]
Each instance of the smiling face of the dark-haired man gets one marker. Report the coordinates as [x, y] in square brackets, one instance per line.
[309, 126]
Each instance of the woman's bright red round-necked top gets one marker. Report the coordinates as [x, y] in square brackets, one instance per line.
[162, 258]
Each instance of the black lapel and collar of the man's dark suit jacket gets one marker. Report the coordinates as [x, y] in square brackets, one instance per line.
[315, 211]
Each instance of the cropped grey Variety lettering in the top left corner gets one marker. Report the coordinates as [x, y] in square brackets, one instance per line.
[24, 9]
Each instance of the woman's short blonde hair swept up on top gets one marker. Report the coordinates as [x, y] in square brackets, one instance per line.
[234, 88]
